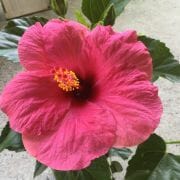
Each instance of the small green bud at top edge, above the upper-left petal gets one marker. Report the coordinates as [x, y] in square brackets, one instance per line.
[59, 7]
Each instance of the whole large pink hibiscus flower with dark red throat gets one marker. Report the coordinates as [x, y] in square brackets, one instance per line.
[81, 93]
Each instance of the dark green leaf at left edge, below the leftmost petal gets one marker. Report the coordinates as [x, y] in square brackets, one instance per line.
[10, 140]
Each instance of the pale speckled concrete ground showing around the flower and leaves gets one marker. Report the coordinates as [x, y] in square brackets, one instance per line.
[156, 18]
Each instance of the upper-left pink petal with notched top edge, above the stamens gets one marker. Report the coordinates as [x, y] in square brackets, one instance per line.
[58, 43]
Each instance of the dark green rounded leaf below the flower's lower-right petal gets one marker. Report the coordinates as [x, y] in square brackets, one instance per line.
[146, 158]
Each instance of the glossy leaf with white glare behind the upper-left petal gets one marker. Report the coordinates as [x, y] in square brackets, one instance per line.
[11, 34]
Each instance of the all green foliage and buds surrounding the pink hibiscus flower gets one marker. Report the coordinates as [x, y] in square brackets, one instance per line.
[150, 161]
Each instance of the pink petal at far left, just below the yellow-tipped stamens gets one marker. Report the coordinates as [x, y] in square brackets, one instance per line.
[34, 103]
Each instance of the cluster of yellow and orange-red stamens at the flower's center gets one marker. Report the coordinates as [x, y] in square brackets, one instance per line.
[66, 79]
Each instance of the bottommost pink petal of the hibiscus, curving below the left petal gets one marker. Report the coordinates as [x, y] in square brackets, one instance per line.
[86, 133]
